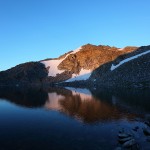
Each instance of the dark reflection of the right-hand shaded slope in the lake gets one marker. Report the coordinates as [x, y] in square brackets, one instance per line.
[133, 100]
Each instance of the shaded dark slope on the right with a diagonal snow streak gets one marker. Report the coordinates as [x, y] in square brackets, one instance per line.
[129, 70]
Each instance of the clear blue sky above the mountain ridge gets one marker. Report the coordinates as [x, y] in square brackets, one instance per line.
[32, 30]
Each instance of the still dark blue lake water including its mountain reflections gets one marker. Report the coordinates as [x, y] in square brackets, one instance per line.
[71, 119]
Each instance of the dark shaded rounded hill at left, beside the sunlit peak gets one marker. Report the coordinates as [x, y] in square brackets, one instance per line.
[27, 73]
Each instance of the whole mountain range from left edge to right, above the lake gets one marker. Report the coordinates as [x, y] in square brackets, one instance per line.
[94, 65]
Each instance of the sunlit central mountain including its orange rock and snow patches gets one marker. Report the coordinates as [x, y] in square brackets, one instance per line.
[78, 64]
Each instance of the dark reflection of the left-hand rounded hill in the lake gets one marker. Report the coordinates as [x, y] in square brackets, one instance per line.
[26, 97]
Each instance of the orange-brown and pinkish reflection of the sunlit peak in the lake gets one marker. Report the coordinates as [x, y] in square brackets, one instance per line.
[80, 104]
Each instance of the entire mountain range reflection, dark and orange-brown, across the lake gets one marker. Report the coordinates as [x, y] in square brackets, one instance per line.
[82, 104]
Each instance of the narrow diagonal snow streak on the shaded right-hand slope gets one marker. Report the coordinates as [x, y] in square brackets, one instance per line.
[113, 67]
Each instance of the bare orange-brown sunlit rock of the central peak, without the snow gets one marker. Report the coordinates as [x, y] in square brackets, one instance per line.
[91, 57]
